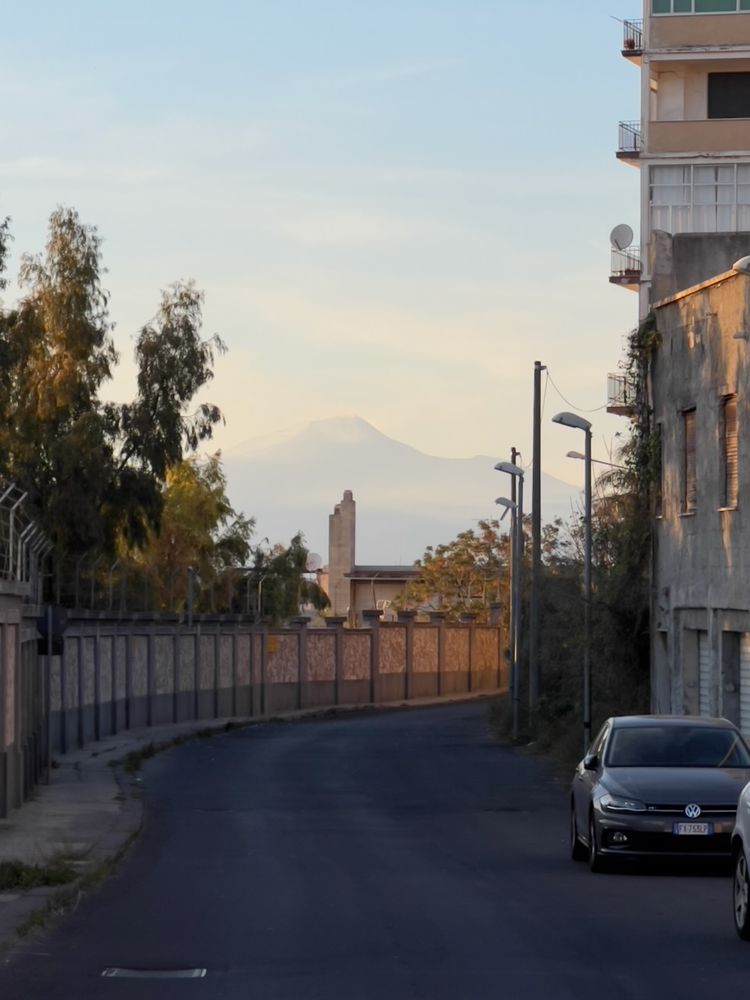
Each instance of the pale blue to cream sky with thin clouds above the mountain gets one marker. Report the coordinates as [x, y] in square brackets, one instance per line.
[394, 206]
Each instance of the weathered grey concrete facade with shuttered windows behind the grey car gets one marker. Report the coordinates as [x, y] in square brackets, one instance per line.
[701, 563]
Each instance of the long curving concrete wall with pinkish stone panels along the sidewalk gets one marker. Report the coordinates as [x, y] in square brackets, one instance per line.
[120, 674]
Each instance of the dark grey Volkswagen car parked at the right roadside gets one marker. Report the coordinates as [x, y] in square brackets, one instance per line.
[653, 786]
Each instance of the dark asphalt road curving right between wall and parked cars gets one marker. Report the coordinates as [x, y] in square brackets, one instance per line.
[396, 856]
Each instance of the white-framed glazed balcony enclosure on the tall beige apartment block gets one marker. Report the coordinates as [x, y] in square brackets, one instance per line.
[700, 199]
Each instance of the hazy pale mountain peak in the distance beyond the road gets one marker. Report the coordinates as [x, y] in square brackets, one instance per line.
[406, 500]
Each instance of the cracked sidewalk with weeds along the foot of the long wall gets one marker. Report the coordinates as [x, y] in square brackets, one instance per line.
[91, 811]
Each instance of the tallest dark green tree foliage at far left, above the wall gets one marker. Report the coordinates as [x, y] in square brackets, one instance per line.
[94, 471]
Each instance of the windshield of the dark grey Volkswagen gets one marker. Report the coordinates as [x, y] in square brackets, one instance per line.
[676, 746]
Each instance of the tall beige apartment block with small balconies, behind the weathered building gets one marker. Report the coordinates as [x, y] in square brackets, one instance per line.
[691, 144]
